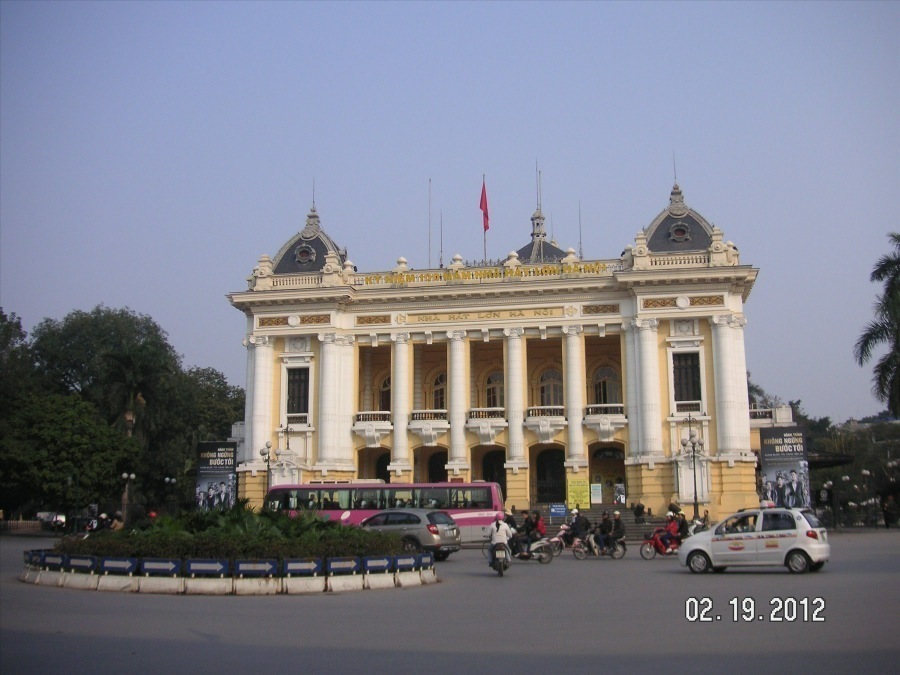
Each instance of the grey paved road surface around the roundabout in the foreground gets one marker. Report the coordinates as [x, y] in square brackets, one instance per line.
[576, 616]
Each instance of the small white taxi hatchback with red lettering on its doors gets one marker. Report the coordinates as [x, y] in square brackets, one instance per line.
[761, 536]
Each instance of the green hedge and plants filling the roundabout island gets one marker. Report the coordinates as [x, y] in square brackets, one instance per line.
[238, 533]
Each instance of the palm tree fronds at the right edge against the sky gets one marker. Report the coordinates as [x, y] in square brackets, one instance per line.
[885, 329]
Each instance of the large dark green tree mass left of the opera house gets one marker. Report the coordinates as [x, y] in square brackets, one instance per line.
[66, 396]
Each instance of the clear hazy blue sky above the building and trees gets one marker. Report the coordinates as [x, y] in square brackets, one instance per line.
[151, 152]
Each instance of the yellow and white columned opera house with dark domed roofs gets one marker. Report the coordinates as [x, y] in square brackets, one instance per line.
[541, 372]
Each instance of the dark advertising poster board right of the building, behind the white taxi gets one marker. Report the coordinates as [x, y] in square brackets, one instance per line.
[784, 466]
